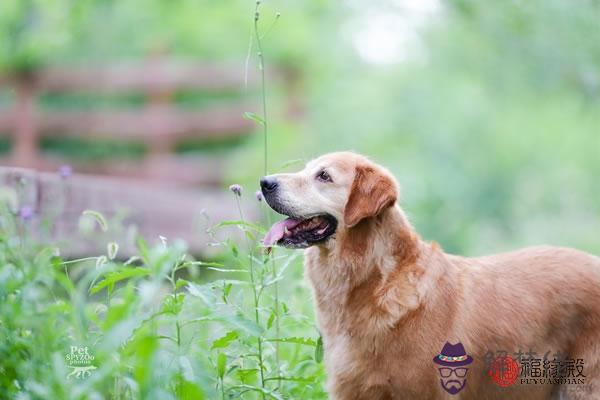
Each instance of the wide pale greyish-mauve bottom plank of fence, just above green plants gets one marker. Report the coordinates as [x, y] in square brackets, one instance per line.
[153, 210]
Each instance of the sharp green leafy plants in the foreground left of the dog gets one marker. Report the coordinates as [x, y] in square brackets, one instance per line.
[154, 326]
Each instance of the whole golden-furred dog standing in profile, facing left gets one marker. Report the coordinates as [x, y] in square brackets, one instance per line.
[387, 301]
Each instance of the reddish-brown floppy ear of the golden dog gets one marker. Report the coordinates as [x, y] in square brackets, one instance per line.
[372, 191]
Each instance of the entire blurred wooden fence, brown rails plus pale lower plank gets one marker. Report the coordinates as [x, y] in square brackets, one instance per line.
[144, 187]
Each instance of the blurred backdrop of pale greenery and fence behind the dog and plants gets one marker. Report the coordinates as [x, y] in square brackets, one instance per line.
[488, 113]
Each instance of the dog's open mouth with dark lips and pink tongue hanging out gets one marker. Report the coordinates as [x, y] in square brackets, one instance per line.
[301, 233]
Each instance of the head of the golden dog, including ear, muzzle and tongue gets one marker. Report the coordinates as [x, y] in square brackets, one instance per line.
[335, 191]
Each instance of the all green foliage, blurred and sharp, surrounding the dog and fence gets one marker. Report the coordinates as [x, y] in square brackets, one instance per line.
[491, 128]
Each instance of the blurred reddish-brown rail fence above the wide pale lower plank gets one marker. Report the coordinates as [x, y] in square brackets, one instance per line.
[159, 124]
